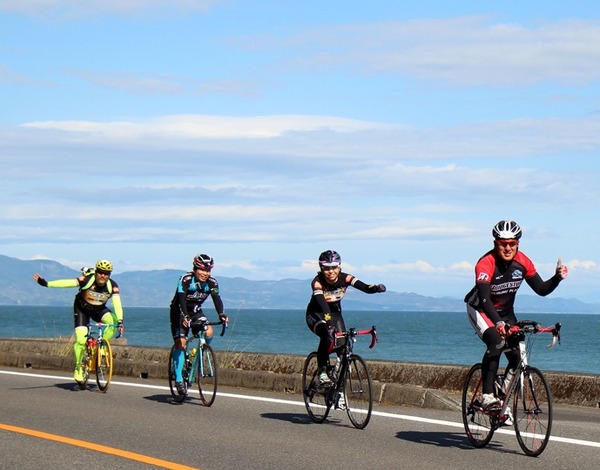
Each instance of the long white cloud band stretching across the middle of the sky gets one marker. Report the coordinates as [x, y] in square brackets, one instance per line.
[333, 137]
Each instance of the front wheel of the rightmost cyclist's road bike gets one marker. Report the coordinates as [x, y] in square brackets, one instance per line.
[533, 412]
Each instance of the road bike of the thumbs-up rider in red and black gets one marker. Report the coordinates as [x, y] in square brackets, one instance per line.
[525, 391]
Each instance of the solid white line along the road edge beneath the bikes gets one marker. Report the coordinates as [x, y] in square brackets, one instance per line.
[383, 414]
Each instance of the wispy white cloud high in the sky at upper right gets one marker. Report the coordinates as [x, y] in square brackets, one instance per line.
[465, 51]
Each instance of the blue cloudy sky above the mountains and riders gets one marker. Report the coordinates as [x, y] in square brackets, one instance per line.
[265, 132]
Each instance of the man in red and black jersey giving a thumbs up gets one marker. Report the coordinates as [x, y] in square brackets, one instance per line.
[490, 304]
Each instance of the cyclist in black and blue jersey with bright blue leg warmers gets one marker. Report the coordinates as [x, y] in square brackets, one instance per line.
[192, 290]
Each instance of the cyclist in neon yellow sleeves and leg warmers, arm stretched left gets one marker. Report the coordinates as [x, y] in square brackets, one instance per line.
[96, 287]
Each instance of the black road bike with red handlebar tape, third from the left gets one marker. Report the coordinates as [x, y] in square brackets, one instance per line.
[350, 389]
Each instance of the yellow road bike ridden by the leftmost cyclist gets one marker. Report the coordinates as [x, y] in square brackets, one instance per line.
[97, 356]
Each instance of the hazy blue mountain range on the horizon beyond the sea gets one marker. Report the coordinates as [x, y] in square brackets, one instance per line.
[156, 288]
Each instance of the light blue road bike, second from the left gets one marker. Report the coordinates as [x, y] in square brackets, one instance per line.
[200, 364]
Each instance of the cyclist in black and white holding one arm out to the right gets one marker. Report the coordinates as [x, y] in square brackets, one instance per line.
[324, 311]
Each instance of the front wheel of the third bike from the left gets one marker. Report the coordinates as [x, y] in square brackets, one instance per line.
[358, 392]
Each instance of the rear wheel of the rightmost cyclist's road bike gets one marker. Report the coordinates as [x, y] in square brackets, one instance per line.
[478, 423]
